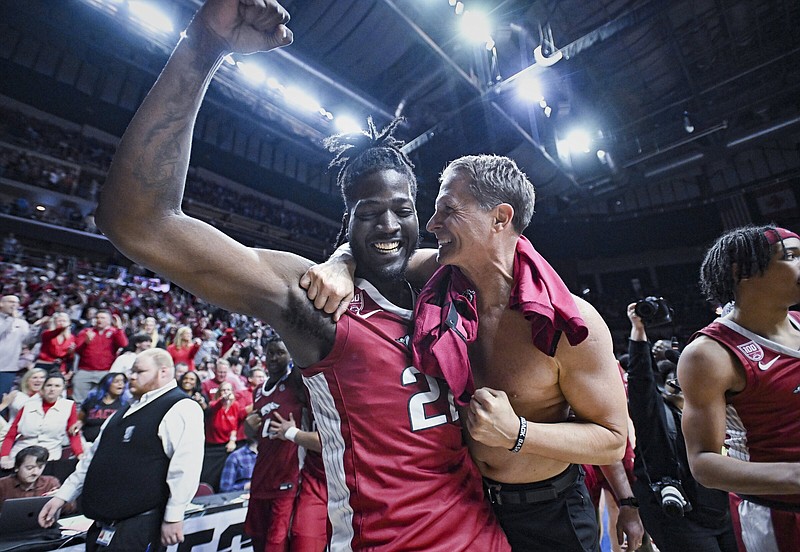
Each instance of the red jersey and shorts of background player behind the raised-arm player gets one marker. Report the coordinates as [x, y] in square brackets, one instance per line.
[275, 476]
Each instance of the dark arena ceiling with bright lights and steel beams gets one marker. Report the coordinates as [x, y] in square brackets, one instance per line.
[682, 103]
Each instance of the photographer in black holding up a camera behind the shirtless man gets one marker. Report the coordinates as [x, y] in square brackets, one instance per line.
[678, 513]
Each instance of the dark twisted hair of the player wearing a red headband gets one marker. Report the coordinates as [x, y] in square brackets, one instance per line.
[747, 248]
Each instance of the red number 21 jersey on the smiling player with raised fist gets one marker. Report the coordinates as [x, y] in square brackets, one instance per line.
[399, 476]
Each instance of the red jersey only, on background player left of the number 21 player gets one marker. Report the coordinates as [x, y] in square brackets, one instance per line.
[277, 466]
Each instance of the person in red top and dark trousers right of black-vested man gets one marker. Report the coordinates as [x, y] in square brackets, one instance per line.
[223, 417]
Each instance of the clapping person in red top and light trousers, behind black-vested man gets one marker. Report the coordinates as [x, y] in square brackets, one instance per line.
[97, 347]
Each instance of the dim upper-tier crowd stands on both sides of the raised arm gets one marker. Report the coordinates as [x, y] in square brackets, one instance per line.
[66, 161]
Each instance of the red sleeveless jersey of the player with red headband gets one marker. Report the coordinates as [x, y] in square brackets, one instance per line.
[762, 420]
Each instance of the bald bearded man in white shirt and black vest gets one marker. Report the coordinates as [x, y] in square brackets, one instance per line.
[157, 439]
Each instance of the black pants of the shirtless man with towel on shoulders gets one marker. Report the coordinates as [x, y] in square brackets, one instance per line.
[564, 524]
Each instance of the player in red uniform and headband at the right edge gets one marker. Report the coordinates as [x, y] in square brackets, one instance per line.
[740, 377]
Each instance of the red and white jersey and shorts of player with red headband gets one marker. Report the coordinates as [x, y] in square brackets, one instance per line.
[763, 426]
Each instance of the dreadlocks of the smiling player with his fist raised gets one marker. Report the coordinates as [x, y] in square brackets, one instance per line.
[361, 153]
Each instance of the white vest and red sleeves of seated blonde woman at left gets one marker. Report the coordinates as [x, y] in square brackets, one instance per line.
[43, 424]
